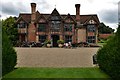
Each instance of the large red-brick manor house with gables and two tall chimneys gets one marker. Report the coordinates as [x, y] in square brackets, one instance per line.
[38, 27]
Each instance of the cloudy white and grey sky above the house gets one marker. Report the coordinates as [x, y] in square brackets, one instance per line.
[107, 10]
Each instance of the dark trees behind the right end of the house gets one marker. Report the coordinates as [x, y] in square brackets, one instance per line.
[103, 29]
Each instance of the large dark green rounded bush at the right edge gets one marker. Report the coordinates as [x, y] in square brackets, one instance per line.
[109, 56]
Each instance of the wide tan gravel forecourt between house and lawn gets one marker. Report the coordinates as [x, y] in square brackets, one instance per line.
[55, 57]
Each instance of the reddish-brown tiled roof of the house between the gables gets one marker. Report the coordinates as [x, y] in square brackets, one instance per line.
[83, 18]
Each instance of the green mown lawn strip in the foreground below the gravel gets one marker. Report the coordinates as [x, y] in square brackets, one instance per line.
[56, 73]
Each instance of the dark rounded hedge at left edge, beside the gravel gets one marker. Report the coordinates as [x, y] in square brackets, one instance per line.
[9, 57]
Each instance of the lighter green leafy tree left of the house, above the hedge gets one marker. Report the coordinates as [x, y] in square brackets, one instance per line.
[11, 29]
